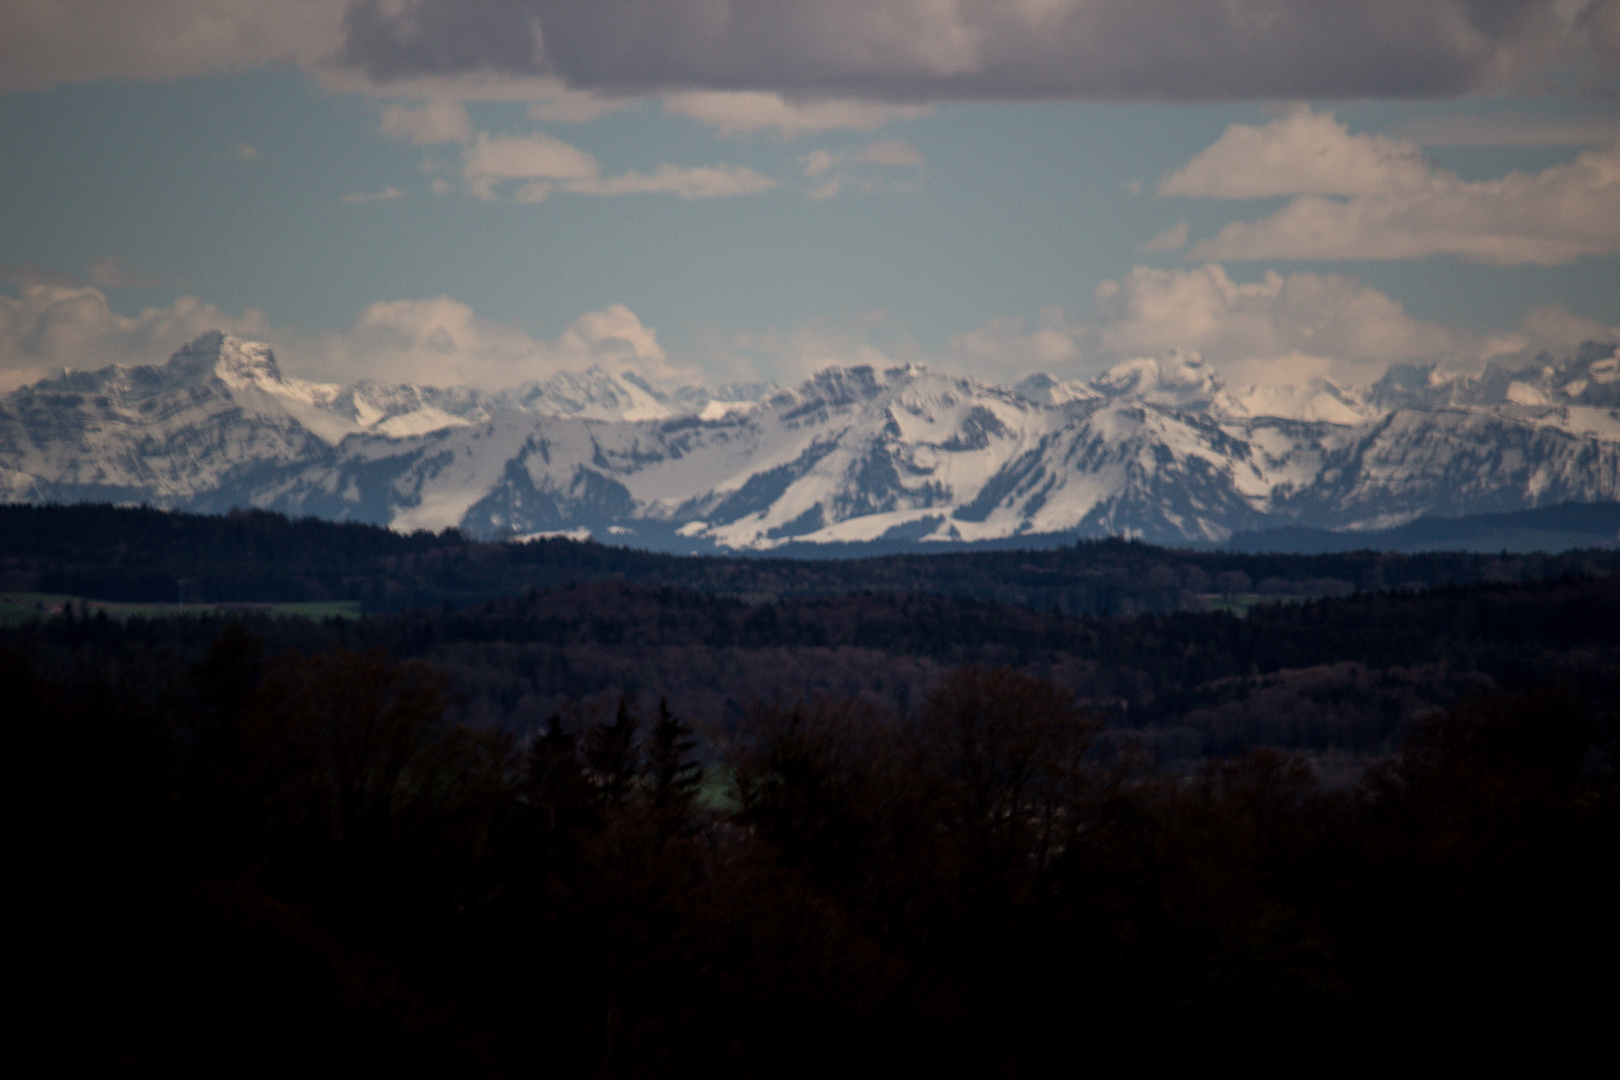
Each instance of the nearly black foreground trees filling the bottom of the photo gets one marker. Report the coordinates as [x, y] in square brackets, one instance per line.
[258, 861]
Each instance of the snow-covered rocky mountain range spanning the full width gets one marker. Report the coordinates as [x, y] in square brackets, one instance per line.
[1156, 448]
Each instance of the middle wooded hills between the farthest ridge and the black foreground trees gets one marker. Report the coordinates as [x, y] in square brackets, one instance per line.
[1345, 674]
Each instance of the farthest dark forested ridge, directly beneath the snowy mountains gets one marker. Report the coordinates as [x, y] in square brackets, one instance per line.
[142, 555]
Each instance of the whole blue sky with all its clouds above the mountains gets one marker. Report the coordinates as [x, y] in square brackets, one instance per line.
[490, 192]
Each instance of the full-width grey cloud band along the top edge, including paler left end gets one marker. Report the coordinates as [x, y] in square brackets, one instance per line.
[871, 51]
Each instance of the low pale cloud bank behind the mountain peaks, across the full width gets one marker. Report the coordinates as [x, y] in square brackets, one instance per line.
[1281, 331]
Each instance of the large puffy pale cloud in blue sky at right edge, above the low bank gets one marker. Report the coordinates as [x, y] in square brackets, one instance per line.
[1394, 205]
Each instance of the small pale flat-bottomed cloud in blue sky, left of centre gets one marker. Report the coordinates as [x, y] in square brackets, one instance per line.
[540, 164]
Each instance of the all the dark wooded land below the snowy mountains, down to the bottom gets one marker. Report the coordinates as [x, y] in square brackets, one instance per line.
[608, 814]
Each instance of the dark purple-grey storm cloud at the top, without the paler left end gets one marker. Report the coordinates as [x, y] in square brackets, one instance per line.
[995, 49]
